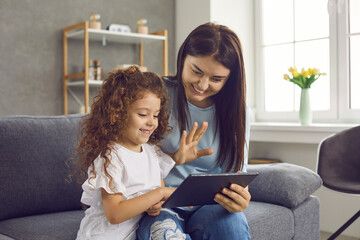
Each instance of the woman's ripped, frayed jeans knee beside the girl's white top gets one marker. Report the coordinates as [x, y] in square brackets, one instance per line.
[167, 225]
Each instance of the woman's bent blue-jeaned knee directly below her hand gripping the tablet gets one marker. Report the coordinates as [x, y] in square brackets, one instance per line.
[214, 222]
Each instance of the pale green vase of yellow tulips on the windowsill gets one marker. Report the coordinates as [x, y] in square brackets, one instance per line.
[304, 80]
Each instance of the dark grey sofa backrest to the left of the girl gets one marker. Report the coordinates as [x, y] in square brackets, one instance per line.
[34, 152]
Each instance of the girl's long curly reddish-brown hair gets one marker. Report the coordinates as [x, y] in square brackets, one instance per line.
[109, 116]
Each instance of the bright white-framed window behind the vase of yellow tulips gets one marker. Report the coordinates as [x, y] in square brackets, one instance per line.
[308, 33]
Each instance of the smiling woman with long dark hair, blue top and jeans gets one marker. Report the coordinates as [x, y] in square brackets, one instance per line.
[209, 87]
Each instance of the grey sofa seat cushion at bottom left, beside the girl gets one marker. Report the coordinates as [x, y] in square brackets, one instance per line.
[59, 226]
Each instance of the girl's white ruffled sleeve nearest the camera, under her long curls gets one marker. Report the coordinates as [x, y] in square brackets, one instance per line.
[92, 186]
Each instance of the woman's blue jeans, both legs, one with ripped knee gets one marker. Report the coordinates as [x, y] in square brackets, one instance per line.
[211, 222]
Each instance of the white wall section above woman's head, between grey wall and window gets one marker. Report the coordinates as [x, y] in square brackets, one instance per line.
[236, 14]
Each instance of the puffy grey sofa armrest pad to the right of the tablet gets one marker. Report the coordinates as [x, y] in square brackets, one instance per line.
[283, 183]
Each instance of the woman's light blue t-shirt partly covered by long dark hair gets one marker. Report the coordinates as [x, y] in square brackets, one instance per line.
[206, 164]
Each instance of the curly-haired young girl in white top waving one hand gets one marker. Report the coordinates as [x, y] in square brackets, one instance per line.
[119, 155]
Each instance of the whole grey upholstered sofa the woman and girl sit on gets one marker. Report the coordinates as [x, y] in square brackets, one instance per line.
[38, 202]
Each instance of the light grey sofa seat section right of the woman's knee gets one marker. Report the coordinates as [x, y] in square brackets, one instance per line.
[269, 221]
